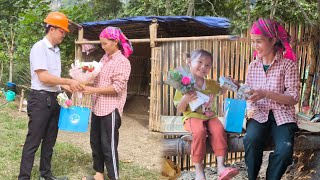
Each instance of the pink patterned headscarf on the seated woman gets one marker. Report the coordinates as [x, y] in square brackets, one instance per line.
[272, 29]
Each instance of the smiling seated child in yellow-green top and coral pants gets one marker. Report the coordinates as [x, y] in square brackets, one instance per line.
[203, 121]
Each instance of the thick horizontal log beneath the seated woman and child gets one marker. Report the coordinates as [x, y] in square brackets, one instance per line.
[180, 147]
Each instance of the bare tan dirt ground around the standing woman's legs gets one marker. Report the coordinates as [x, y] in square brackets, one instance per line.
[136, 145]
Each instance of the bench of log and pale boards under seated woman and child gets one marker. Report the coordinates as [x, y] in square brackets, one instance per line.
[177, 141]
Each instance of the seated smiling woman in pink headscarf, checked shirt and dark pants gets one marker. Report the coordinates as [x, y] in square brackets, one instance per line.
[274, 79]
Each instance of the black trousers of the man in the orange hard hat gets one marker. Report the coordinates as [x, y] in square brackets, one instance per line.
[43, 111]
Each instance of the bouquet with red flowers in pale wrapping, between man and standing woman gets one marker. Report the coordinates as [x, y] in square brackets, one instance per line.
[85, 72]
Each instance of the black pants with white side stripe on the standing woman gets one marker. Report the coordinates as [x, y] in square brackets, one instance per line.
[104, 138]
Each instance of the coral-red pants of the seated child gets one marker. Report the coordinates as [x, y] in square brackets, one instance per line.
[200, 129]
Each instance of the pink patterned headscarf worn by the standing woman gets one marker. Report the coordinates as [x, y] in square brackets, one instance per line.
[115, 33]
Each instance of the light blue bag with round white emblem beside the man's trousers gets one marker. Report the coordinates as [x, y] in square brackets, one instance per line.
[75, 119]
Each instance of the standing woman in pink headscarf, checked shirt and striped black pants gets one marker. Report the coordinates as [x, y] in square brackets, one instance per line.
[109, 96]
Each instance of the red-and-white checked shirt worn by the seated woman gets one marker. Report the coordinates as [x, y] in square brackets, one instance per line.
[282, 76]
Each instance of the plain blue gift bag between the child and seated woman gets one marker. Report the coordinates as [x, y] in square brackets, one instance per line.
[234, 113]
